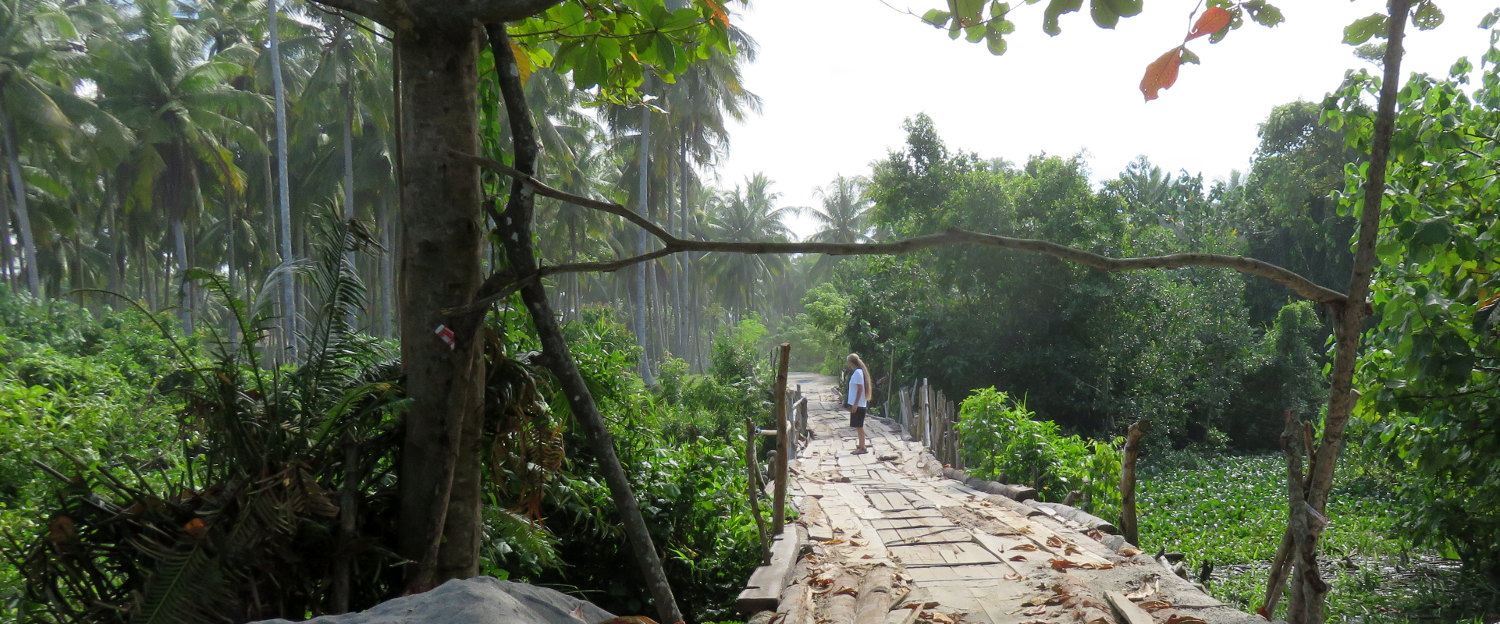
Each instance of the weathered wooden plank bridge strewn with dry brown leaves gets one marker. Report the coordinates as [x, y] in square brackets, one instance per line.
[887, 538]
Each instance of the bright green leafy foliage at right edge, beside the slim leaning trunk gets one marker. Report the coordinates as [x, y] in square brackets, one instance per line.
[1433, 376]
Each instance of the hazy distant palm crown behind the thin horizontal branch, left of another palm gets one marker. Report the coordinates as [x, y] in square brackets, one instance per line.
[745, 215]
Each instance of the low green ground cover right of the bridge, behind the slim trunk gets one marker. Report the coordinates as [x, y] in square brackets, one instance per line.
[1231, 509]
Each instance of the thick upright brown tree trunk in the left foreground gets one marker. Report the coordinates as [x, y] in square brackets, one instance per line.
[440, 268]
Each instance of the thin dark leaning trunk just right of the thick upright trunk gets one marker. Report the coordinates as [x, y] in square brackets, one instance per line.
[515, 229]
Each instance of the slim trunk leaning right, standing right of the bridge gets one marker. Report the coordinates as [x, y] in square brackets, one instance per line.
[1309, 590]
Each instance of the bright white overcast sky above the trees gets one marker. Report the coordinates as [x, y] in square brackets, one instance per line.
[838, 79]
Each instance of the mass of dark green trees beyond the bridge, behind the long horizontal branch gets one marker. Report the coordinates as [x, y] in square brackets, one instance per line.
[1090, 350]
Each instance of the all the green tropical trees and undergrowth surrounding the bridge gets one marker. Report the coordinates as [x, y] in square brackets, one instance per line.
[230, 335]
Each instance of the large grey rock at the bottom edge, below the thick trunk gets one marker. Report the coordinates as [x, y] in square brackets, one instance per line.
[481, 601]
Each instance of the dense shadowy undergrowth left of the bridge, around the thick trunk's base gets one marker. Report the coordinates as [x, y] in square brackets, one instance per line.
[266, 464]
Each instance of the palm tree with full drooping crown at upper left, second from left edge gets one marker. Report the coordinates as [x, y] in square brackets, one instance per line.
[187, 115]
